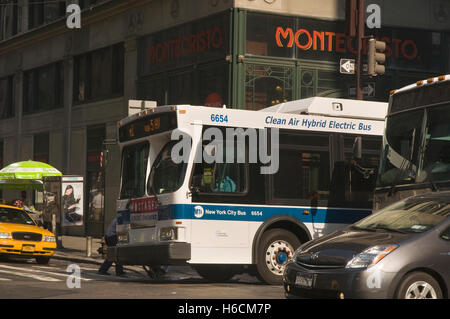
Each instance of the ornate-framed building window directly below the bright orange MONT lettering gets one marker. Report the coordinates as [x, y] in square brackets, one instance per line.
[267, 85]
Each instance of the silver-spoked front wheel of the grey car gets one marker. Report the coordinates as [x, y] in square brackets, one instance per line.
[419, 285]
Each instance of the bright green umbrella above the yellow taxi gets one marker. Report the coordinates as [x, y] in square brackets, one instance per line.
[22, 175]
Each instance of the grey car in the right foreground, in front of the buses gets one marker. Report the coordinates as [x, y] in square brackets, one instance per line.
[402, 251]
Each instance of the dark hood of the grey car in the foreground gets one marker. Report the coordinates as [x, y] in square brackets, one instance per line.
[337, 249]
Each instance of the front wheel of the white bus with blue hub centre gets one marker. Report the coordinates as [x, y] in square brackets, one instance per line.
[276, 249]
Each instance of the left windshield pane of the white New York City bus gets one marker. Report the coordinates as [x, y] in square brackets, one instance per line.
[134, 169]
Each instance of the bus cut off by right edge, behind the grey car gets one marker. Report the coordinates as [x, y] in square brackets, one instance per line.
[416, 143]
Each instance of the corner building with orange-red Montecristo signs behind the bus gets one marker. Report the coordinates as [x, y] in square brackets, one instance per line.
[63, 90]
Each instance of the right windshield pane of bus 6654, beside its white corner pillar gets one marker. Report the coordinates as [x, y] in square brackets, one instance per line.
[166, 175]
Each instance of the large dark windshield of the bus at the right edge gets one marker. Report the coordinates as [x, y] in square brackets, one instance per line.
[413, 154]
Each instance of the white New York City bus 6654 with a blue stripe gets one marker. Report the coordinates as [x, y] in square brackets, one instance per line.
[229, 191]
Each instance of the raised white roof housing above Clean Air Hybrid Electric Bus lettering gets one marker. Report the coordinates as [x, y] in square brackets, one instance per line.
[333, 107]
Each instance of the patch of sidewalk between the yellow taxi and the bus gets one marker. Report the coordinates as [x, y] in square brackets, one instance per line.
[75, 249]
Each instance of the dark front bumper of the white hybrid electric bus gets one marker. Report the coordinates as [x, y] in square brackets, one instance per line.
[171, 253]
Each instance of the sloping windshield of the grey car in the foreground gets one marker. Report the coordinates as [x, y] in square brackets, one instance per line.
[411, 215]
